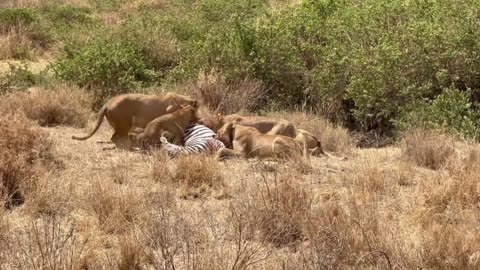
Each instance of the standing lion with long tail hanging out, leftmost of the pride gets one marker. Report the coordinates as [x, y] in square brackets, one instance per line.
[128, 111]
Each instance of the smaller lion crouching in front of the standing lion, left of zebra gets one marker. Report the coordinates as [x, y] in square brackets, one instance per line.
[169, 124]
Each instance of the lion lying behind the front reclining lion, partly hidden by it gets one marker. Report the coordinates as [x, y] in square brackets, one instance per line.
[269, 126]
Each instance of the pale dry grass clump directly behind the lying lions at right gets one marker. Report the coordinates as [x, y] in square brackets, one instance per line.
[333, 138]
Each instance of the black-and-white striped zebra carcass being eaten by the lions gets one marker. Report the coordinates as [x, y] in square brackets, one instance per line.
[198, 139]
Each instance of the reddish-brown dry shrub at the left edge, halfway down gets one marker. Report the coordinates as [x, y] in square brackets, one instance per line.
[26, 153]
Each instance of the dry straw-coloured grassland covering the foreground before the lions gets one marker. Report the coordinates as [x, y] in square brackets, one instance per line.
[121, 210]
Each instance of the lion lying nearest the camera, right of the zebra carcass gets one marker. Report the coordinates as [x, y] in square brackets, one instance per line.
[248, 142]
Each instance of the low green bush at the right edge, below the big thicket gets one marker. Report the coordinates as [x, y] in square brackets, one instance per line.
[452, 111]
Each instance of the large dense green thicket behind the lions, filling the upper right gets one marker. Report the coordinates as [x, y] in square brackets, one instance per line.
[357, 62]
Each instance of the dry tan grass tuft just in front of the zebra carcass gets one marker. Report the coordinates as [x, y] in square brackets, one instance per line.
[198, 174]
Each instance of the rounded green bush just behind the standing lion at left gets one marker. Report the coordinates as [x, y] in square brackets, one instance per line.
[105, 67]
